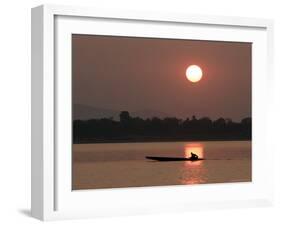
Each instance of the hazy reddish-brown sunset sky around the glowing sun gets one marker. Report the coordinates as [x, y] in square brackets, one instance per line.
[136, 74]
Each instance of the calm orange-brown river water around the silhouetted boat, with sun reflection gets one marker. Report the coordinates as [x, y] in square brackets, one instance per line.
[117, 165]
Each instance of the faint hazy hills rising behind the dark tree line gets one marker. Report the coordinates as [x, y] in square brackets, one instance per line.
[84, 112]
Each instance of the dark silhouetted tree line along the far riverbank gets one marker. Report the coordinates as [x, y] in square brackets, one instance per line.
[136, 129]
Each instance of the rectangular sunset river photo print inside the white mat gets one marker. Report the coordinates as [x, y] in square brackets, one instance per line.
[158, 112]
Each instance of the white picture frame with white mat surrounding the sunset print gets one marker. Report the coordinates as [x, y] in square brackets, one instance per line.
[52, 197]
